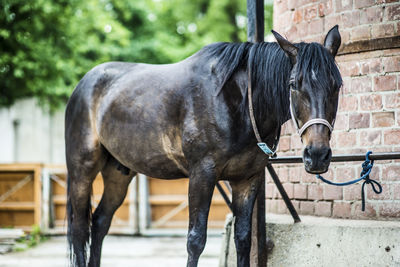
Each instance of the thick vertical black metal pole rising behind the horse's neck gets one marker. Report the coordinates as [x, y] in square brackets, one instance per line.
[258, 256]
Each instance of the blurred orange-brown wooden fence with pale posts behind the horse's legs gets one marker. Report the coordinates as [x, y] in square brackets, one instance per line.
[36, 194]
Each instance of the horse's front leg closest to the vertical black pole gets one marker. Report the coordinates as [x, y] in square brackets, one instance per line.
[244, 193]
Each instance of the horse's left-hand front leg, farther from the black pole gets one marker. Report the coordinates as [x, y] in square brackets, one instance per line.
[202, 181]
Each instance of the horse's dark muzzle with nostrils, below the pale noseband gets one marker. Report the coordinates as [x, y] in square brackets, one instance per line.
[317, 159]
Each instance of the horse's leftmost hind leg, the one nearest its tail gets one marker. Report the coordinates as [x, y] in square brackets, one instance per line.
[83, 163]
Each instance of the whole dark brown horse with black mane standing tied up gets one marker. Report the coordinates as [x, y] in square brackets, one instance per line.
[192, 119]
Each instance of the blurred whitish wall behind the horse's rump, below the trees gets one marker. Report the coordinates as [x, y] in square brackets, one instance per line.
[28, 133]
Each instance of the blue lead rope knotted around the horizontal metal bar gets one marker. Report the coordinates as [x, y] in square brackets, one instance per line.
[367, 168]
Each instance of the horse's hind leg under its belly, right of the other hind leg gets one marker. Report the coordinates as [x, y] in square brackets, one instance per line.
[115, 188]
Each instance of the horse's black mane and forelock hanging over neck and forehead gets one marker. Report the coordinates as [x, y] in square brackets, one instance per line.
[270, 69]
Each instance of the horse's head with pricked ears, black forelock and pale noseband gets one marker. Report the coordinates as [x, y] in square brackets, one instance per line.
[314, 90]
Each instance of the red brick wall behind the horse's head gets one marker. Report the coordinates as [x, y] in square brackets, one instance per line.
[369, 109]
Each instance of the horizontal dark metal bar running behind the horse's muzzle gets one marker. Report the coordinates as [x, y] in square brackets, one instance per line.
[340, 158]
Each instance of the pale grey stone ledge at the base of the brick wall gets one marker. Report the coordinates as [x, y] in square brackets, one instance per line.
[318, 241]
